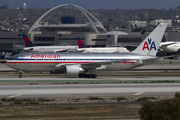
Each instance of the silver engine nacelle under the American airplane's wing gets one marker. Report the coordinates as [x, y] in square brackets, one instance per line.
[73, 69]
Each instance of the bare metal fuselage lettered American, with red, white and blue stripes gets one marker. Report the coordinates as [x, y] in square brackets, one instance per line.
[49, 61]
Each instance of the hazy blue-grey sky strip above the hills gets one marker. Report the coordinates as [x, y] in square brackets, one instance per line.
[97, 4]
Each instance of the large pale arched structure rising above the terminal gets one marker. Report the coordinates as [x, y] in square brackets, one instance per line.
[93, 25]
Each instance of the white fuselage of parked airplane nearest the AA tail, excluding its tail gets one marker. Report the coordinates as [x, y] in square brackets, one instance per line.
[103, 50]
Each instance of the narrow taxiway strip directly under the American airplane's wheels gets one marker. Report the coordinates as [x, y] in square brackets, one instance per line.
[102, 79]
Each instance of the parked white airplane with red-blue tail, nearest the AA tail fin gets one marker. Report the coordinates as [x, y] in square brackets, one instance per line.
[84, 49]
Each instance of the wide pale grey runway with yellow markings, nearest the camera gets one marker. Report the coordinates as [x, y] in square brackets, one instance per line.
[33, 91]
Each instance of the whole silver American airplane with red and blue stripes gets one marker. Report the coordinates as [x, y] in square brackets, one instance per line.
[85, 64]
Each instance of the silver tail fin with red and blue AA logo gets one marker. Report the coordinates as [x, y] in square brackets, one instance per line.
[151, 44]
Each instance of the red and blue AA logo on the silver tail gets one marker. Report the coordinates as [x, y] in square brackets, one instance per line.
[149, 43]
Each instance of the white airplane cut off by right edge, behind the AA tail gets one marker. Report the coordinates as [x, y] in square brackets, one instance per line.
[170, 46]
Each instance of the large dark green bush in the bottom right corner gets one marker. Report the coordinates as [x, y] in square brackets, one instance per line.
[161, 110]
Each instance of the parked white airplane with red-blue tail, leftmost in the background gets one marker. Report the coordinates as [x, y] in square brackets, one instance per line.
[30, 47]
